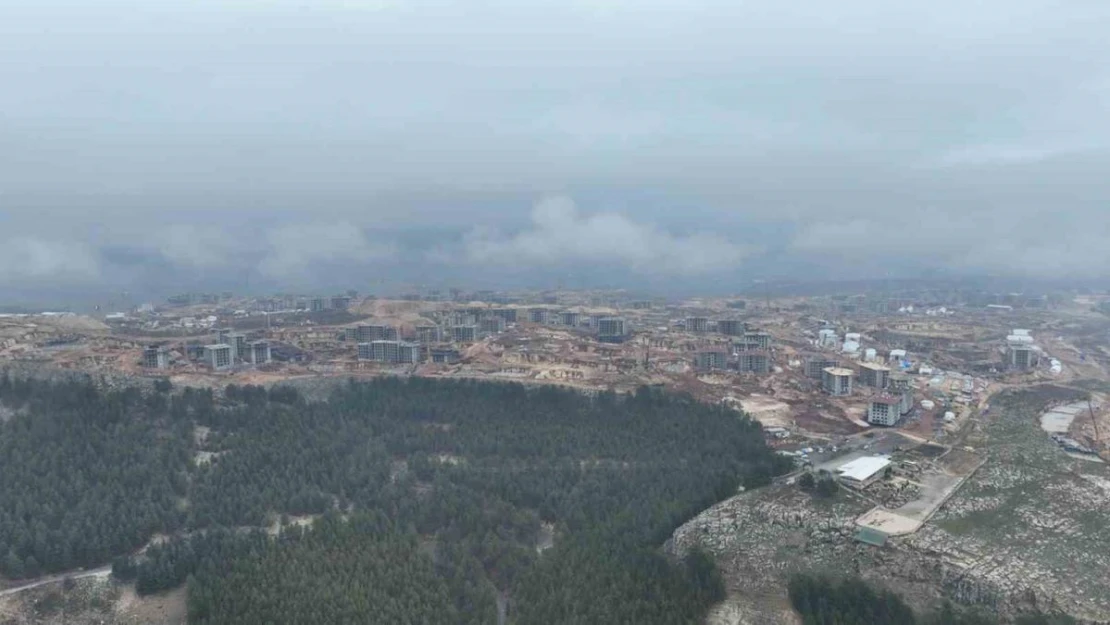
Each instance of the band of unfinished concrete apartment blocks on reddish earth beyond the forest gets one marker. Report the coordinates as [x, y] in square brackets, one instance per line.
[819, 368]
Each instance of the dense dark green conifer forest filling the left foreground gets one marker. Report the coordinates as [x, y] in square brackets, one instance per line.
[458, 479]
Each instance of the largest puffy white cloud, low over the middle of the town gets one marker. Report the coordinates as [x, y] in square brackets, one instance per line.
[560, 234]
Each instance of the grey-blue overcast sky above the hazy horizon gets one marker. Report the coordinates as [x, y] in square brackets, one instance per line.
[326, 143]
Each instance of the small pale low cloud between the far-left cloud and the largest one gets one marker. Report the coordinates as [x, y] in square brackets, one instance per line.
[294, 250]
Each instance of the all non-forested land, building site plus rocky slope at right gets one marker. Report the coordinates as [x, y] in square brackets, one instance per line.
[955, 432]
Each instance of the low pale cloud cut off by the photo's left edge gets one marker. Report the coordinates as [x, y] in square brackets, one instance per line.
[33, 260]
